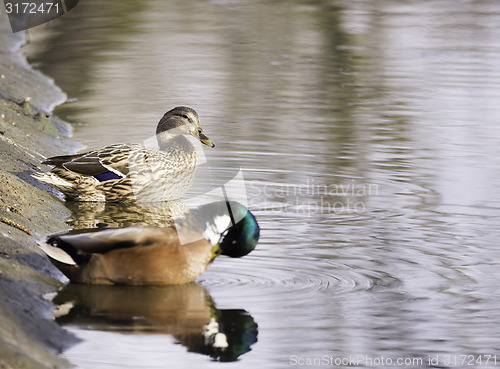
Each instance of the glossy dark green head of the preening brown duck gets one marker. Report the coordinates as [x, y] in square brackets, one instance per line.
[243, 232]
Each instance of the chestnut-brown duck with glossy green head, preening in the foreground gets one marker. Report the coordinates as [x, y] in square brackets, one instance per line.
[156, 256]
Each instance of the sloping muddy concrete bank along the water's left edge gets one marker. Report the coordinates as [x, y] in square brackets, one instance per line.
[29, 338]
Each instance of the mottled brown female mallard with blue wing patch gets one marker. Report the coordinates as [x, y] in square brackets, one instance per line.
[131, 171]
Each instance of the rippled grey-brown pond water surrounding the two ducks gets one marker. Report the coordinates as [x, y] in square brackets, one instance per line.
[368, 136]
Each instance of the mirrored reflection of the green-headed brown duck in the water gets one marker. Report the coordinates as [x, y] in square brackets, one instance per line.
[187, 312]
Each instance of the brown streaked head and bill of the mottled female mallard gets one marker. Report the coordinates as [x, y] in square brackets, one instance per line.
[183, 120]
